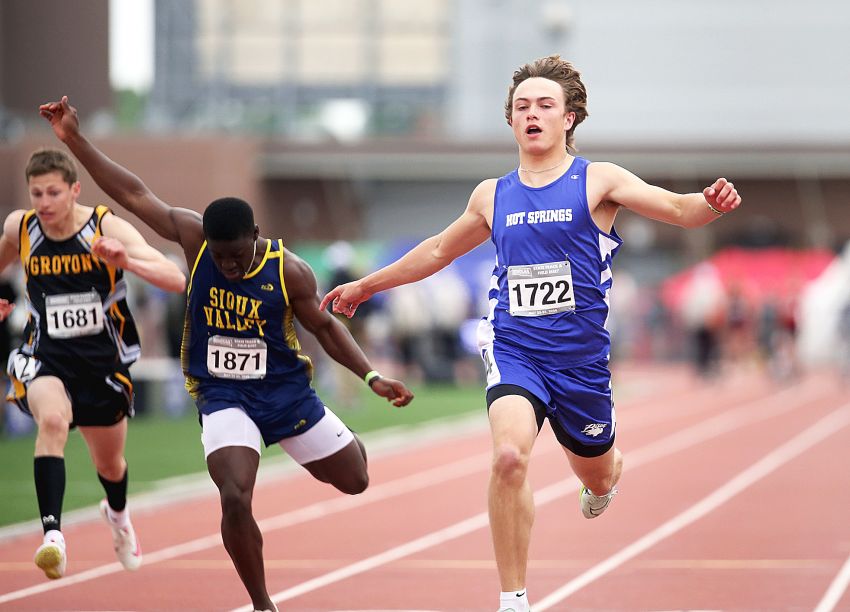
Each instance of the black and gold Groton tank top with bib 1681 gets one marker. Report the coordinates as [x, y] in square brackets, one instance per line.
[76, 303]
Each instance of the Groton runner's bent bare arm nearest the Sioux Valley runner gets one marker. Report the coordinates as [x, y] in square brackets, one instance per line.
[124, 247]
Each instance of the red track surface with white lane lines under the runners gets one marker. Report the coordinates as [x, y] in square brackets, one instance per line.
[735, 496]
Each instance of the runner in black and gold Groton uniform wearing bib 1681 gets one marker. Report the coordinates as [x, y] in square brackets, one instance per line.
[80, 339]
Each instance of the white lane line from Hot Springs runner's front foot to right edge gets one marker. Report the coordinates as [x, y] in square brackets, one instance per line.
[821, 430]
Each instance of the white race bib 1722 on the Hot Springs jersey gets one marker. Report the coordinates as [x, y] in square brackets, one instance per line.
[540, 289]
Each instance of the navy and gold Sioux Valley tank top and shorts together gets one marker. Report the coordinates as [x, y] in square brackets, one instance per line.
[240, 347]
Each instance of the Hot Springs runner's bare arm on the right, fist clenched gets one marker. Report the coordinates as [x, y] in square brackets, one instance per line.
[609, 183]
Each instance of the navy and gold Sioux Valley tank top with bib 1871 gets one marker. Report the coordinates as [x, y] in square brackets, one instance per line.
[243, 331]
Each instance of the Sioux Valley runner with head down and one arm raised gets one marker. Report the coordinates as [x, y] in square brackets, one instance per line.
[240, 354]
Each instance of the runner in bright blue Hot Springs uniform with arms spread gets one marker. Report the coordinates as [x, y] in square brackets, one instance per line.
[545, 343]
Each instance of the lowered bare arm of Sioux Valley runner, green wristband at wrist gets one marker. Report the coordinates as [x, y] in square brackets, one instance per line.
[334, 337]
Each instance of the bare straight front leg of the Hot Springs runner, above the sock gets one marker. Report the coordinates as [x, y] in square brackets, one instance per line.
[510, 502]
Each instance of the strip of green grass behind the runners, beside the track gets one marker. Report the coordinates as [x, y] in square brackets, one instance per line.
[159, 447]
